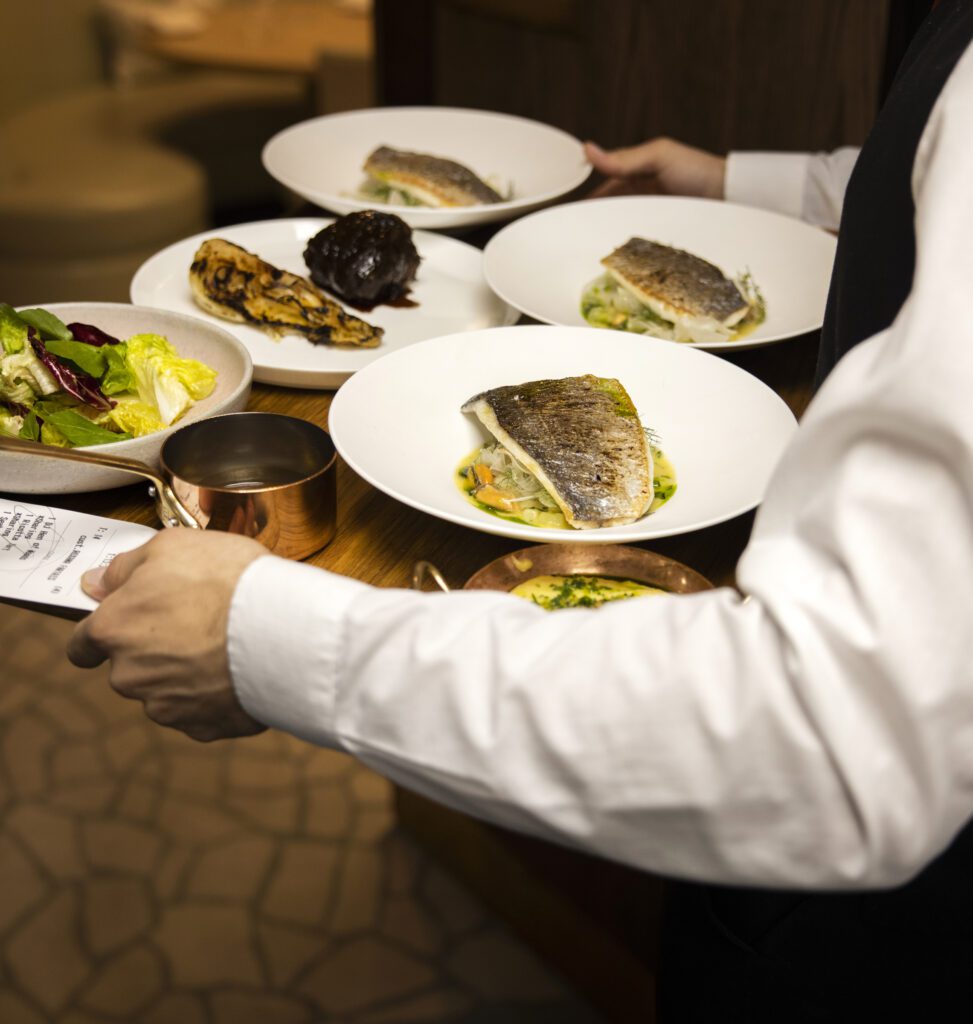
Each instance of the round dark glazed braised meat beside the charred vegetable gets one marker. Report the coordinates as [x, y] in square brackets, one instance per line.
[364, 259]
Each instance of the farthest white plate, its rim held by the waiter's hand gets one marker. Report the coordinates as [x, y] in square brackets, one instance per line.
[321, 159]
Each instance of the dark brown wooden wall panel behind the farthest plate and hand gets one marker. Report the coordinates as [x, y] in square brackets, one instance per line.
[748, 74]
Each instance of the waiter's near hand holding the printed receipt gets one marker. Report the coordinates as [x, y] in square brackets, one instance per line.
[162, 622]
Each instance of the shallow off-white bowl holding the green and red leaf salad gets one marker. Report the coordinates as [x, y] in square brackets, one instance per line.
[193, 338]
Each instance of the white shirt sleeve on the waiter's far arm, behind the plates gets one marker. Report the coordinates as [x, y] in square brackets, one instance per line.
[811, 187]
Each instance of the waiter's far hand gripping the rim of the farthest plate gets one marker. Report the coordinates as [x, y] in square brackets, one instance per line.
[661, 165]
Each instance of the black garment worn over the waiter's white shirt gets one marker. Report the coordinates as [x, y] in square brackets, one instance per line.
[904, 955]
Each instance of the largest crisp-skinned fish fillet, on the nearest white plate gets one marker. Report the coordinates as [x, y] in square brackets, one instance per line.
[582, 439]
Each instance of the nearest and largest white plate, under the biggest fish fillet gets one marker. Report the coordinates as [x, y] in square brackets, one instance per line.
[399, 423]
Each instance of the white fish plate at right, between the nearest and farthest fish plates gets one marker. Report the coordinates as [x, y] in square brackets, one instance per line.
[542, 264]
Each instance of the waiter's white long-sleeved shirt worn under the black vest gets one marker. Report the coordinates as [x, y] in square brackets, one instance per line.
[820, 735]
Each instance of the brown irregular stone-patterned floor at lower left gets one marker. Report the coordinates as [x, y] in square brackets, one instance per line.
[145, 878]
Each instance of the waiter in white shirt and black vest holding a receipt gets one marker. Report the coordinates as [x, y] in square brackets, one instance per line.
[819, 737]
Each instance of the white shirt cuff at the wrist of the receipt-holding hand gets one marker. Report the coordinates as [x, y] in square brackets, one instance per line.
[285, 636]
